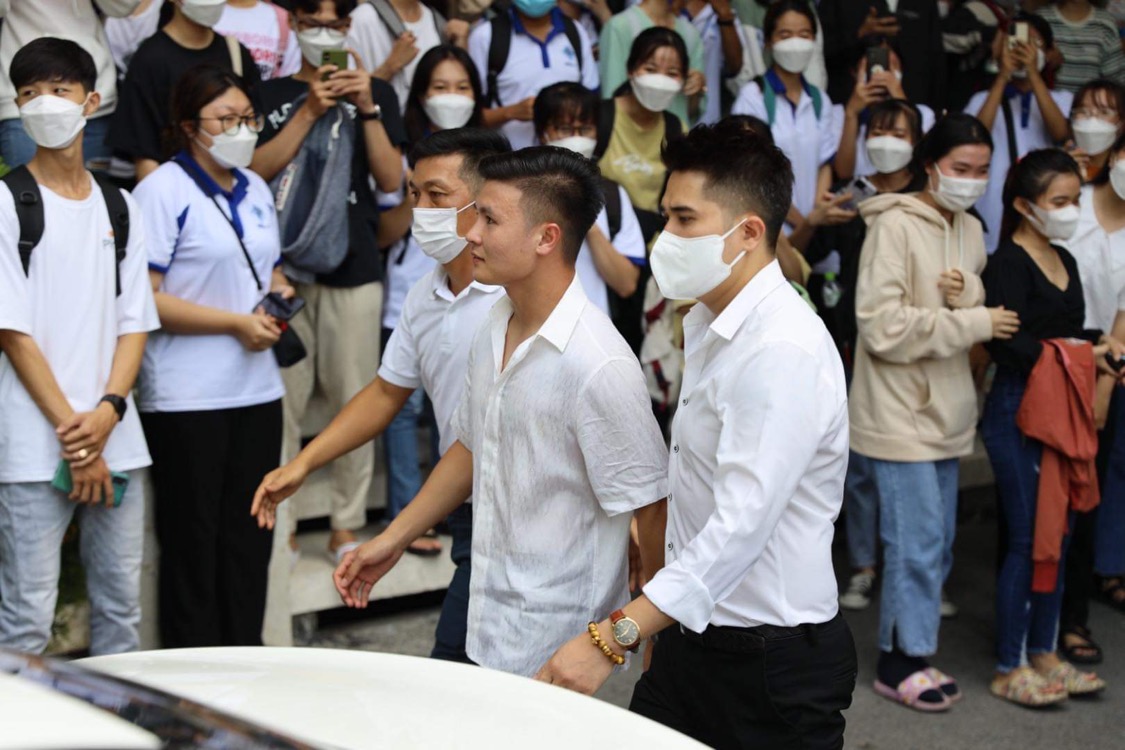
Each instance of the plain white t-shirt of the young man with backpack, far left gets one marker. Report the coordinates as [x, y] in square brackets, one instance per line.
[68, 304]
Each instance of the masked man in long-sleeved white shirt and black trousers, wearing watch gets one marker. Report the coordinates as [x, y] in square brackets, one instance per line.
[753, 652]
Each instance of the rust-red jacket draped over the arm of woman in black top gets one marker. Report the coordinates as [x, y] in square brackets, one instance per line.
[1058, 411]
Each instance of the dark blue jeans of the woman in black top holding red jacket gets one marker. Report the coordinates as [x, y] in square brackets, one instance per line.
[1023, 619]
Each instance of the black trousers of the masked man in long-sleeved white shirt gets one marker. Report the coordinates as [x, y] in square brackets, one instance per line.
[760, 688]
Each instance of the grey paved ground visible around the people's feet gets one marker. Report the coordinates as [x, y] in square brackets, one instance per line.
[980, 721]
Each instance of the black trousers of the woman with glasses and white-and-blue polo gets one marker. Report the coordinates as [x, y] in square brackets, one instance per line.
[214, 559]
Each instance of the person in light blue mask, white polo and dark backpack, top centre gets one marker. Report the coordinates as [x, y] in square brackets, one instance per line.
[541, 53]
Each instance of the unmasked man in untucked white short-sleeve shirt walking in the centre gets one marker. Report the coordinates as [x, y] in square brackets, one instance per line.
[556, 439]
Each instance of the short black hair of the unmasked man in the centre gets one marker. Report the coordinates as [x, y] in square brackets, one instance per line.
[557, 186]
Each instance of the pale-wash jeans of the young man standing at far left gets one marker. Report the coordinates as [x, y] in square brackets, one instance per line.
[34, 518]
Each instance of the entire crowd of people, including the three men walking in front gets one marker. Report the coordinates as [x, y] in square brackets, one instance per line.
[606, 251]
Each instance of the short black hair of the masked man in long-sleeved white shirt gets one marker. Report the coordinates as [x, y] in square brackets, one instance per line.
[742, 170]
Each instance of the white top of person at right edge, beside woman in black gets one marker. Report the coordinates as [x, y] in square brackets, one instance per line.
[1101, 259]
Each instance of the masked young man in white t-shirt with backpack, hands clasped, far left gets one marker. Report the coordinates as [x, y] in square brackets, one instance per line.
[74, 323]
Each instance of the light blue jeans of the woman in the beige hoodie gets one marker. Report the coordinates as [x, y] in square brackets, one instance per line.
[919, 520]
